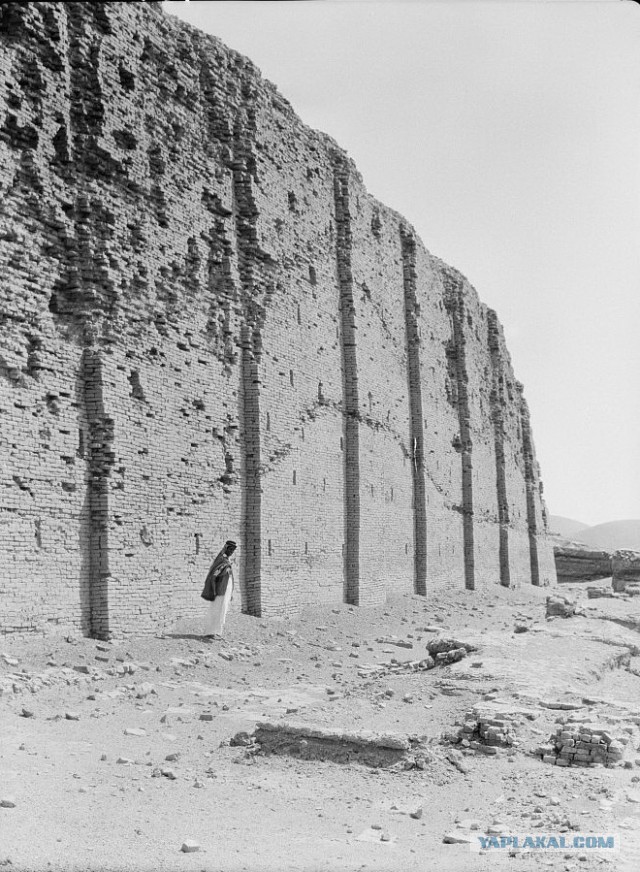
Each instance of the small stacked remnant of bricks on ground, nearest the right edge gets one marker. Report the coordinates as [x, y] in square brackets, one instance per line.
[581, 745]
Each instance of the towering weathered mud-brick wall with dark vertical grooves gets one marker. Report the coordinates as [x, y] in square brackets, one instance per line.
[210, 330]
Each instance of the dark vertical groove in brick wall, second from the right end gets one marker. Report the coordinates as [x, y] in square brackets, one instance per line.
[498, 401]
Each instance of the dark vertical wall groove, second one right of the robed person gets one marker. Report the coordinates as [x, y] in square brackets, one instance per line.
[349, 382]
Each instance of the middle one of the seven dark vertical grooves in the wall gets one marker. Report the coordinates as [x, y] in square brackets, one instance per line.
[416, 436]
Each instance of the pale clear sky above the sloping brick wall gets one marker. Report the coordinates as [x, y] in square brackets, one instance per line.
[508, 134]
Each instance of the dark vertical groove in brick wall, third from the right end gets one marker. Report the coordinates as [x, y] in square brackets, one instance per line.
[457, 357]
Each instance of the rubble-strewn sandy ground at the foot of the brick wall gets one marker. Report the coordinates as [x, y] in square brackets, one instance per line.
[359, 739]
